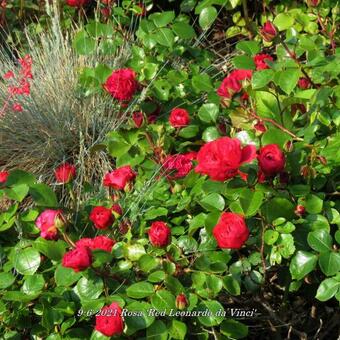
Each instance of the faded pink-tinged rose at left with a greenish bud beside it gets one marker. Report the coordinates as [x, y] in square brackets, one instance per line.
[48, 222]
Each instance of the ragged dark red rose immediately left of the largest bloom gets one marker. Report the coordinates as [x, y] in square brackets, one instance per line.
[178, 166]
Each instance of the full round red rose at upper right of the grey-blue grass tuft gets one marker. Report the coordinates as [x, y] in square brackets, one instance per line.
[122, 84]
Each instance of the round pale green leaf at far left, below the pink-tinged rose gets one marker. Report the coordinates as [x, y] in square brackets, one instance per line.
[27, 261]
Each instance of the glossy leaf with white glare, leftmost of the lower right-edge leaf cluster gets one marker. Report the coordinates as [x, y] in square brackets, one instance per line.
[302, 264]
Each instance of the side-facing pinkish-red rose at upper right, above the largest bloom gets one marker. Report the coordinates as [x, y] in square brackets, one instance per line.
[233, 83]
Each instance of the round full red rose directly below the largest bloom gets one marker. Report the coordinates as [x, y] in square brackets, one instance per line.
[231, 231]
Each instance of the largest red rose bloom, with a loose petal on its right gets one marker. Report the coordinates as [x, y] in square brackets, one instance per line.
[221, 158]
